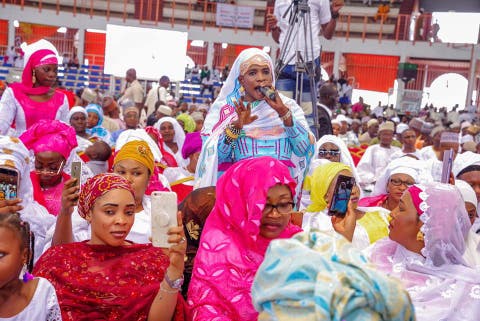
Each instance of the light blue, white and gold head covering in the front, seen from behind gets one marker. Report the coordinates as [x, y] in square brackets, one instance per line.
[319, 276]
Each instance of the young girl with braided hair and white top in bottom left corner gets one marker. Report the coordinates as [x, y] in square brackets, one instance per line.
[32, 298]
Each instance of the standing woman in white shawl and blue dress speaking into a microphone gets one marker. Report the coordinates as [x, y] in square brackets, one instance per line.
[244, 123]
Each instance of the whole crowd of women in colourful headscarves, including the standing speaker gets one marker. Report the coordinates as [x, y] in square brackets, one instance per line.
[254, 238]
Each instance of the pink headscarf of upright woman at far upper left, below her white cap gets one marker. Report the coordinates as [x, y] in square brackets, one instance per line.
[38, 58]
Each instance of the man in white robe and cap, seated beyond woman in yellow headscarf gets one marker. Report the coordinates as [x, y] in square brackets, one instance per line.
[376, 157]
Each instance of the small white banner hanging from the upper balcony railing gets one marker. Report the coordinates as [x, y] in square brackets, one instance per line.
[235, 16]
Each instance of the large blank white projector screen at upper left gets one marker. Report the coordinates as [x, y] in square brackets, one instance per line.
[152, 52]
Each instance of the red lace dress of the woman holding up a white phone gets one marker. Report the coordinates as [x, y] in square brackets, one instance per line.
[101, 282]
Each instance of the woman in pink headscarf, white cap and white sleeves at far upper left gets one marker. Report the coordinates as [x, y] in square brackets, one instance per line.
[35, 97]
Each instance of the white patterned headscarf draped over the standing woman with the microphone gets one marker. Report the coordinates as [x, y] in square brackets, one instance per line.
[222, 113]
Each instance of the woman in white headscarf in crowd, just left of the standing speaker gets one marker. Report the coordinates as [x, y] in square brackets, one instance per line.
[173, 138]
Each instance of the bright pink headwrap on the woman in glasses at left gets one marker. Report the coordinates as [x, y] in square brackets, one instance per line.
[50, 136]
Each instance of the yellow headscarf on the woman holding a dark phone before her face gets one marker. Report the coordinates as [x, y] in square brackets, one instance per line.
[319, 182]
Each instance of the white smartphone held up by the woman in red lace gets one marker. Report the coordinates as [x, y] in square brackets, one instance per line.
[164, 216]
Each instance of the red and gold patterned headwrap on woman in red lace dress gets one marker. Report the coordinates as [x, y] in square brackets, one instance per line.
[98, 185]
